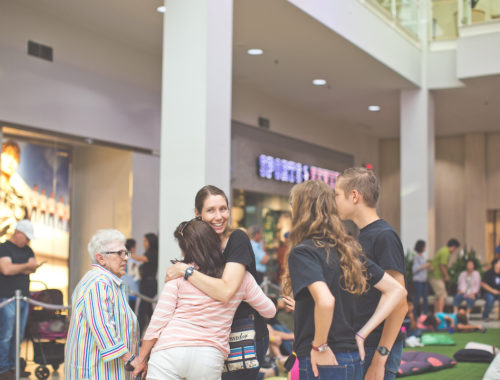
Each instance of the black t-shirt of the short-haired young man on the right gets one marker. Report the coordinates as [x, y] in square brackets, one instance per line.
[382, 245]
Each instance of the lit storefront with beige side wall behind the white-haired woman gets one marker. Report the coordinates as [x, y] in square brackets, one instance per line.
[68, 187]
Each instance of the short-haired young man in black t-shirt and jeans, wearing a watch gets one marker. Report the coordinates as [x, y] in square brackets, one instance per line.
[356, 196]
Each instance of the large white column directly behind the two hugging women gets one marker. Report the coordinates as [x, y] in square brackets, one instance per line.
[196, 111]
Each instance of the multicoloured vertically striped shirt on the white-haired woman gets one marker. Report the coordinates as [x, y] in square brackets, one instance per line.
[102, 328]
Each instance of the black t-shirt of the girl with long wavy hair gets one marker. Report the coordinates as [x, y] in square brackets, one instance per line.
[307, 265]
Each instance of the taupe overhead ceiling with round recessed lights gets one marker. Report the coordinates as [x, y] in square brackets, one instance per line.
[297, 49]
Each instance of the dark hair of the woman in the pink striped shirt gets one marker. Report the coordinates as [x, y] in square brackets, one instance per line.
[201, 245]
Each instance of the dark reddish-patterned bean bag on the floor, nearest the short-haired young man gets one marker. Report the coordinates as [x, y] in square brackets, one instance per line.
[415, 362]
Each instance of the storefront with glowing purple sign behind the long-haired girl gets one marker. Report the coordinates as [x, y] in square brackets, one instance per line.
[264, 168]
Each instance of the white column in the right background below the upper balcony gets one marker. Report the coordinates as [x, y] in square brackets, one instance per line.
[417, 168]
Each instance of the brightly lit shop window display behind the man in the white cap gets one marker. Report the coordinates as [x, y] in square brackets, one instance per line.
[35, 185]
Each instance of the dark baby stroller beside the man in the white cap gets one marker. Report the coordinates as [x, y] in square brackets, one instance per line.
[47, 330]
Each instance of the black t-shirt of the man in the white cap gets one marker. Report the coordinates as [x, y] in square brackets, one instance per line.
[8, 284]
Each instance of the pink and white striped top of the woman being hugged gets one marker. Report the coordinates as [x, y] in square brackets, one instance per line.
[185, 316]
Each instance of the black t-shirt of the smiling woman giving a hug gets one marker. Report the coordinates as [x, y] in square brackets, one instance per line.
[239, 250]
